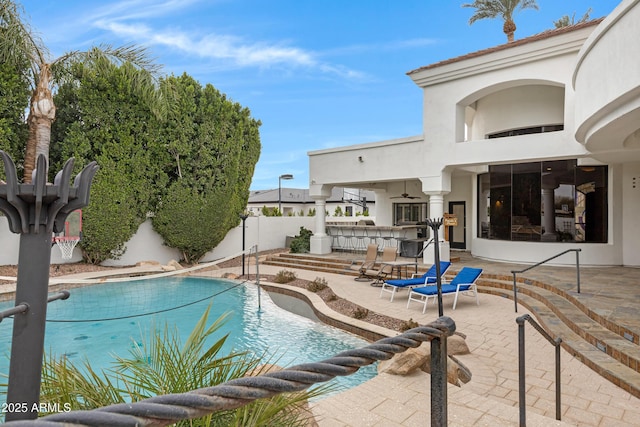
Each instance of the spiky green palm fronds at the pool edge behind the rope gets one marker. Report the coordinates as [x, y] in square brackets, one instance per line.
[162, 364]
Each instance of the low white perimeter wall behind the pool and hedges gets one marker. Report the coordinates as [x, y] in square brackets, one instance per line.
[147, 245]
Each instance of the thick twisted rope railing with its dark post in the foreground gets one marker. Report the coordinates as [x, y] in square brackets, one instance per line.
[168, 409]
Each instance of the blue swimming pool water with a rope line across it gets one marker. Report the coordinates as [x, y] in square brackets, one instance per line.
[286, 337]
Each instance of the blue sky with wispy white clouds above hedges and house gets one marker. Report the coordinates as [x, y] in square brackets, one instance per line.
[317, 73]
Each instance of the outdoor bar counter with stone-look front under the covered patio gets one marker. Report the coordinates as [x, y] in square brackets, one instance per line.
[346, 237]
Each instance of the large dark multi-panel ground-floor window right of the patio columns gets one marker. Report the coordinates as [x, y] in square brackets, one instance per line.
[555, 201]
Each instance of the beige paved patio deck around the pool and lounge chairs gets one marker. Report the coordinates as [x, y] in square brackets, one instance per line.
[491, 398]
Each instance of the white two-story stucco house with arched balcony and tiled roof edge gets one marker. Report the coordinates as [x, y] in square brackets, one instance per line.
[533, 145]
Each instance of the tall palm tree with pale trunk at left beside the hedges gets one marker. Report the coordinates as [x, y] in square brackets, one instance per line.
[19, 42]
